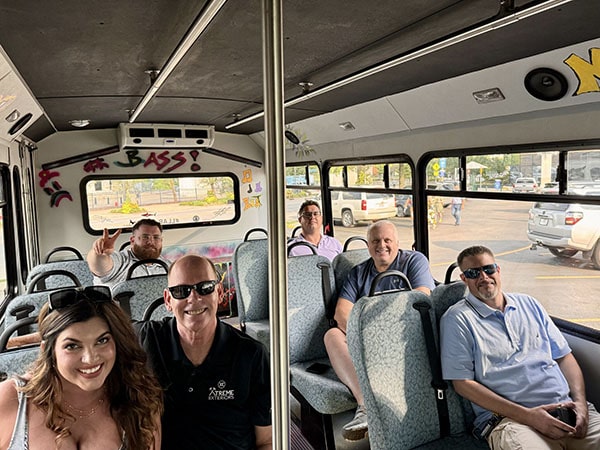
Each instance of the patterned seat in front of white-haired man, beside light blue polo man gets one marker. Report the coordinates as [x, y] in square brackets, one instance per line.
[392, 364]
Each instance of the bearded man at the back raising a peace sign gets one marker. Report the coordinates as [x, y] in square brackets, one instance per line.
[110, 266]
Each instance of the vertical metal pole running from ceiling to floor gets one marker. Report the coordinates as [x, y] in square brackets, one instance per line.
[275, 167]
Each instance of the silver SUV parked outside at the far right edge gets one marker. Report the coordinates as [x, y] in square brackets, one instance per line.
[566, 229]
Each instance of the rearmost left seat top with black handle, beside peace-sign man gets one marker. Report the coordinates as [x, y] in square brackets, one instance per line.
[78, 266]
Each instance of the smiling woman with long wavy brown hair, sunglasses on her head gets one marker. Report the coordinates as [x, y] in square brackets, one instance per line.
[89, 387]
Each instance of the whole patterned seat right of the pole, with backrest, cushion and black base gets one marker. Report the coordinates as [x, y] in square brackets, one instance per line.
[320, 394]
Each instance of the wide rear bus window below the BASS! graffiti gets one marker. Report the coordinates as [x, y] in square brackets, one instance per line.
[179, 201]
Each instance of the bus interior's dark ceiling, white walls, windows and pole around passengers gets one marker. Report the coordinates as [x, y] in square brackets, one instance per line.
[220, 117]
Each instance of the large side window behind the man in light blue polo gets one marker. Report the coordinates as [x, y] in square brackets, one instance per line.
[550, 250]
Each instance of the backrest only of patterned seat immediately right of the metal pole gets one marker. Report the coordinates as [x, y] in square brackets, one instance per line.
[307, 322]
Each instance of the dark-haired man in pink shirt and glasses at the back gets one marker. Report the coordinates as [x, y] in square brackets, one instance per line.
[311, 220]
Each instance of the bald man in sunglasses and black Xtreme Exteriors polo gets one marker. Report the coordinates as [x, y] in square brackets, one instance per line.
[215, 378]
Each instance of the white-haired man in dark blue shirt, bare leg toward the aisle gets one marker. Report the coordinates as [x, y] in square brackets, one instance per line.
[385, 254]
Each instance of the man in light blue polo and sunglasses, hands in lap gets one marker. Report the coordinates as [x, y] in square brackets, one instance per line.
[504, 354]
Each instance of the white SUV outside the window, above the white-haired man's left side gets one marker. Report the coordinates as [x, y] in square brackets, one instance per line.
[353, 207]
